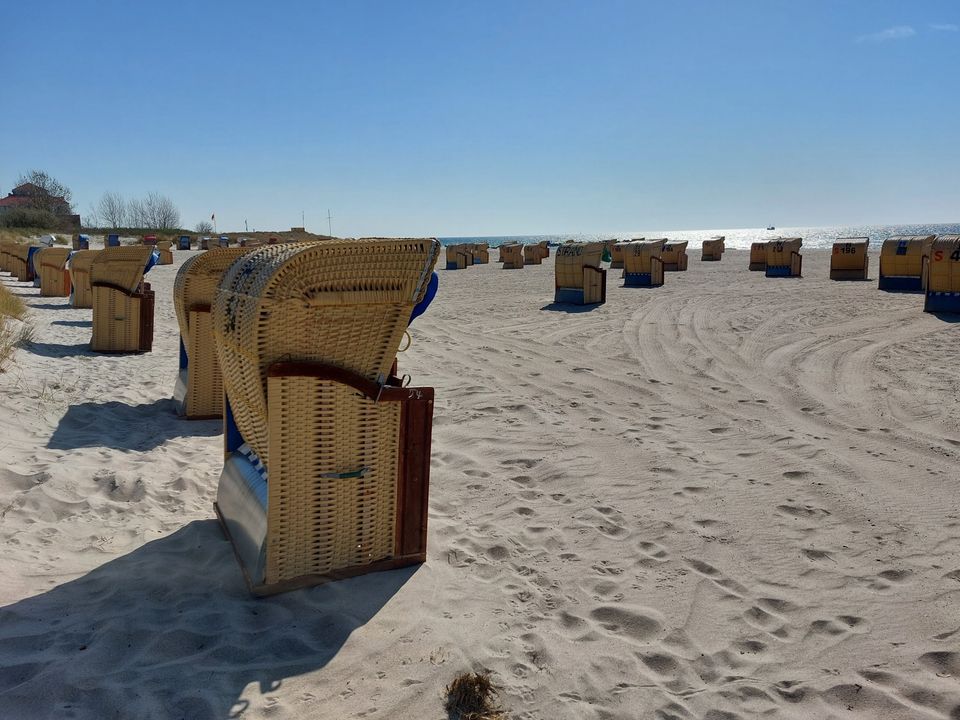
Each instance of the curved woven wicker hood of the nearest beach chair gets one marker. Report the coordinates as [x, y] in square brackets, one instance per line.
[344, 303]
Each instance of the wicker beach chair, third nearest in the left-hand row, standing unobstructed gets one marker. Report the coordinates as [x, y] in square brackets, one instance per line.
[123, 304]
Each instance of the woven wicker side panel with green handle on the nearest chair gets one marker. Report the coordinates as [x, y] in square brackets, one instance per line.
[333, 489]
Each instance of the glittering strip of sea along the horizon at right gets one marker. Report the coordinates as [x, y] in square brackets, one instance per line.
[813, 237]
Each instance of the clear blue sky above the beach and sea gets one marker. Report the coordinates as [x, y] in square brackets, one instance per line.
[486, 118]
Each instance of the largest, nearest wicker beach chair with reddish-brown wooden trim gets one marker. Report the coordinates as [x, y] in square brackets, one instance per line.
[327, 458]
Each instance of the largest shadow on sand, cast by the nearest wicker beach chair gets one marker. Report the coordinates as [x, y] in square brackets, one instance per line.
[169, 630]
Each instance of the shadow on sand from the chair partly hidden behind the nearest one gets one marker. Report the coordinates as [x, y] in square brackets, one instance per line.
[125, 427]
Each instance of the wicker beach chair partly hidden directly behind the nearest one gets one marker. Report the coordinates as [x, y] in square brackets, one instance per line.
[198, 393]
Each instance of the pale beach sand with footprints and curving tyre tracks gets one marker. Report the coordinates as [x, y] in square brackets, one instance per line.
[730, 497]
